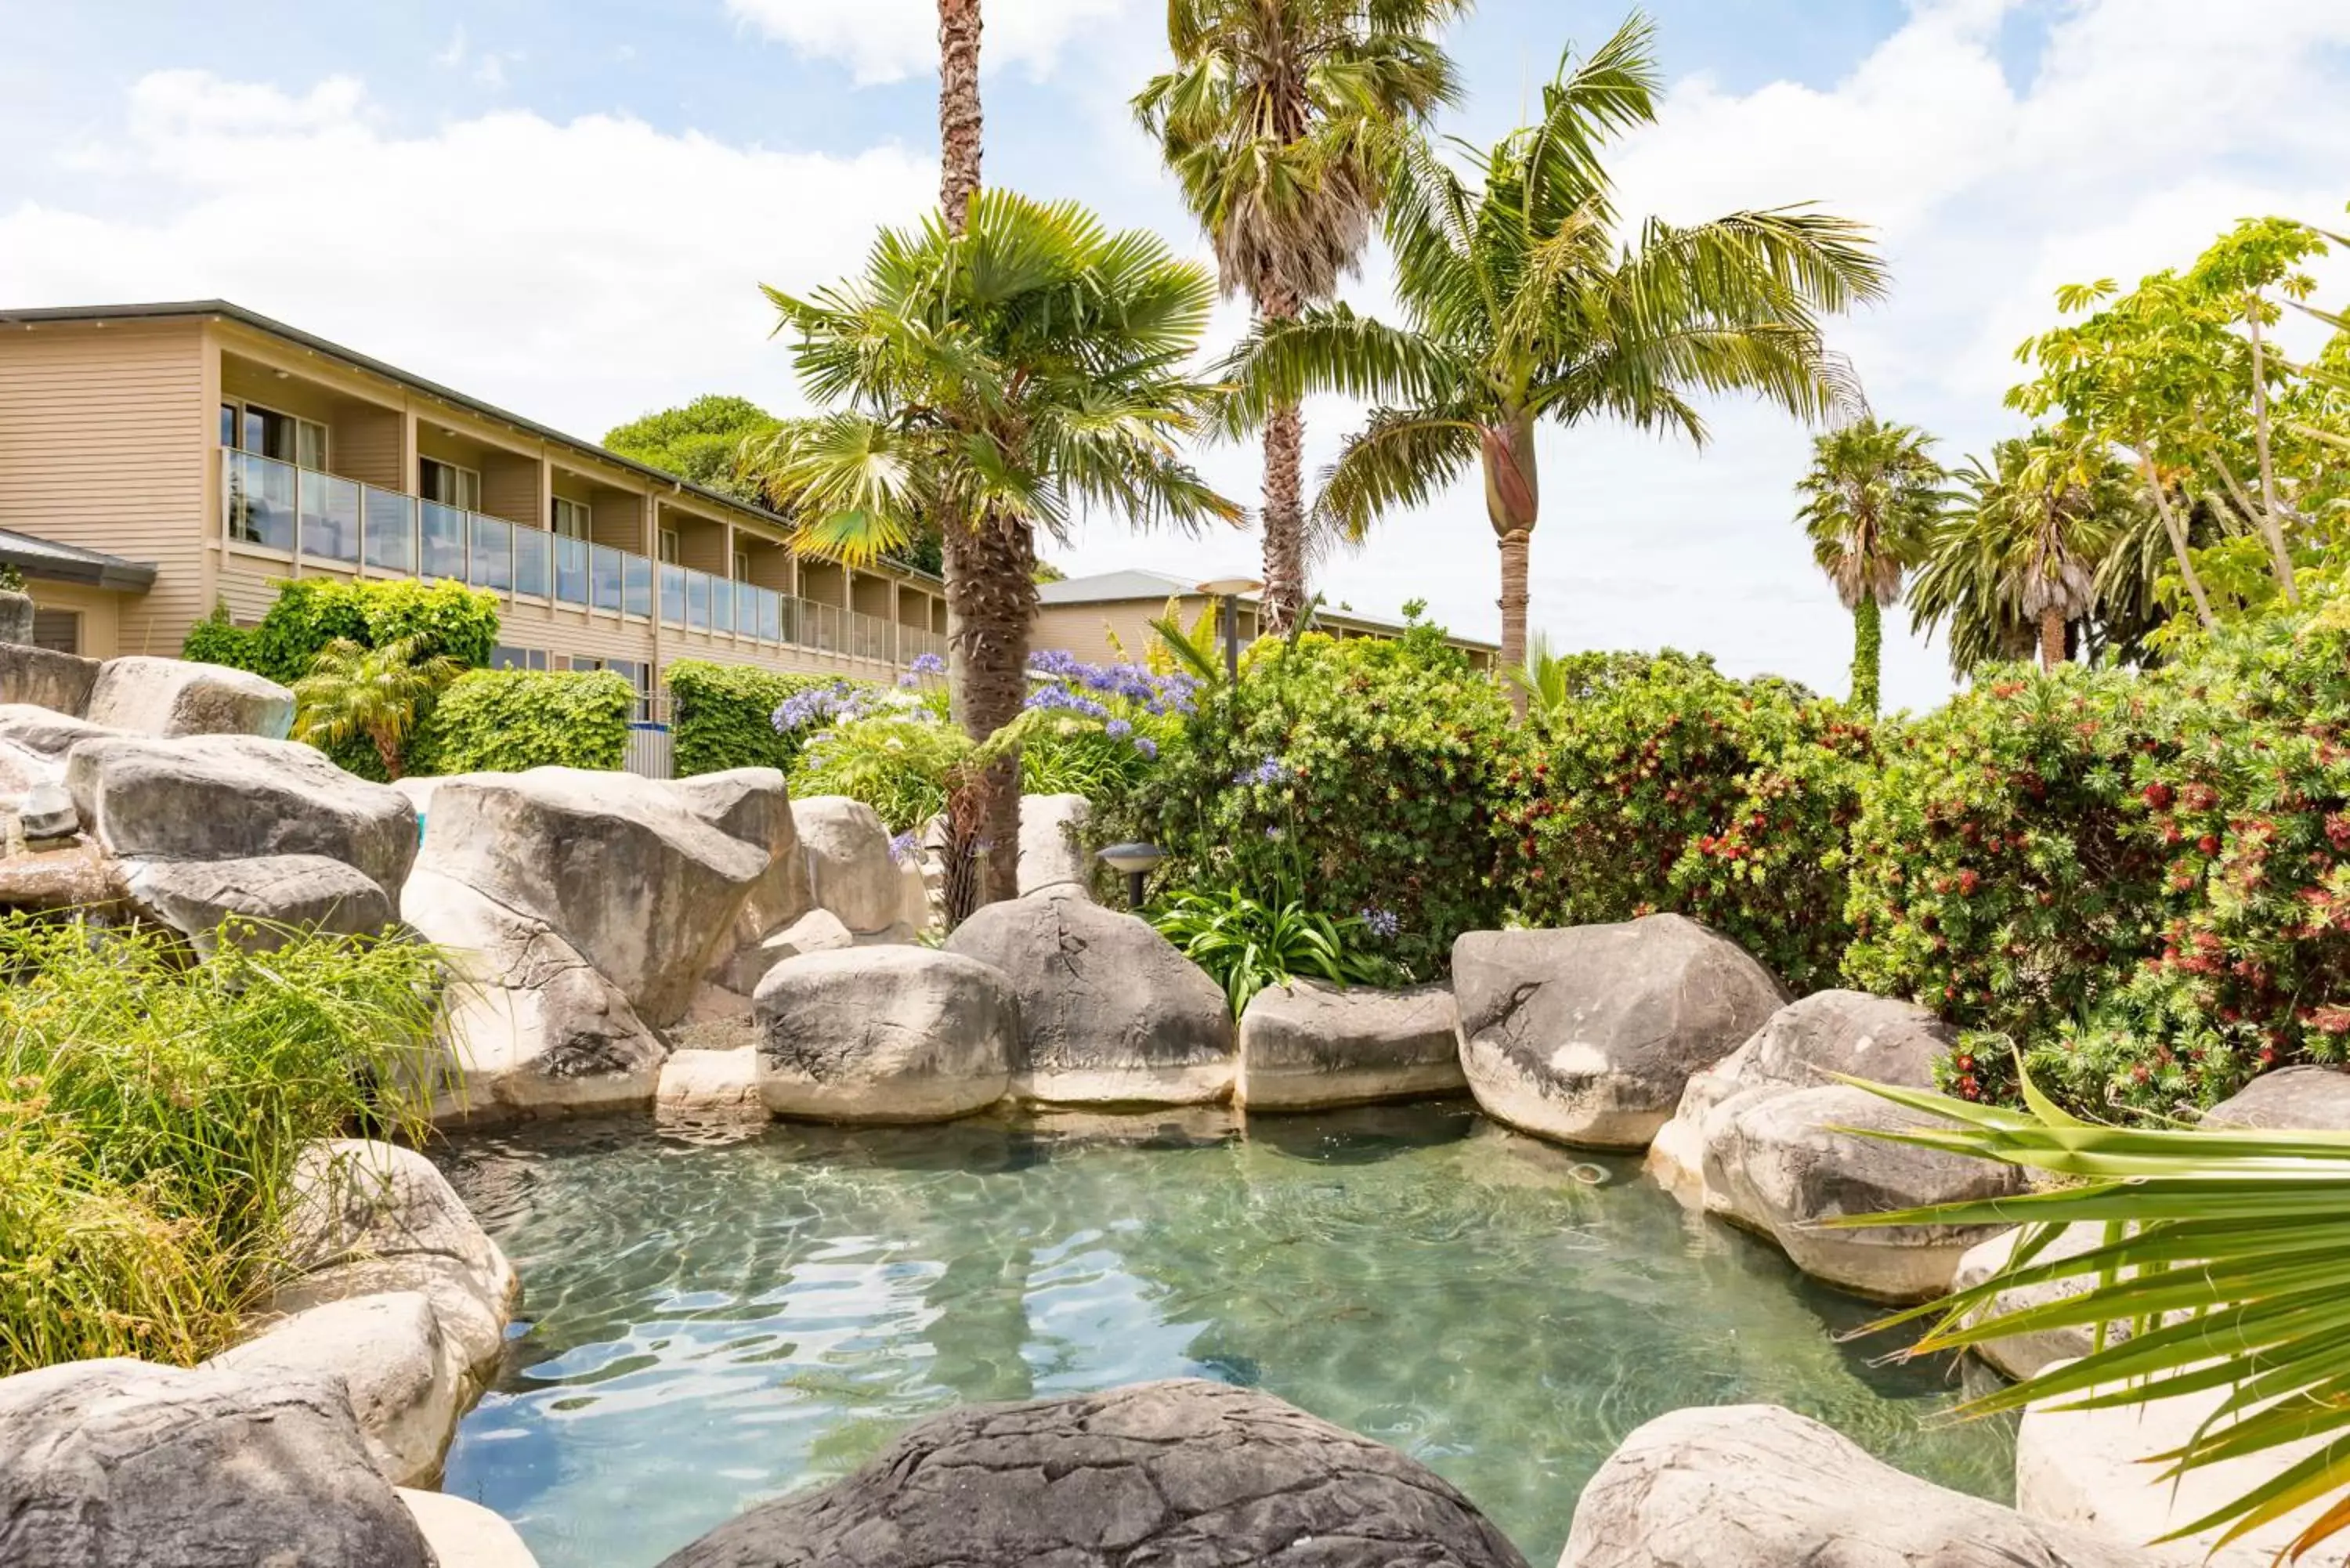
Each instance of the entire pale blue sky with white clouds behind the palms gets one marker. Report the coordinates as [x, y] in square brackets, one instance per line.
[568, 208]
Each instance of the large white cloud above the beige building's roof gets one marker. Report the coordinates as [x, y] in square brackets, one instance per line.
[577, 274]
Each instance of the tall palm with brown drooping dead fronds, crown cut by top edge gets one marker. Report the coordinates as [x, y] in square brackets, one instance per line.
[1273, 121]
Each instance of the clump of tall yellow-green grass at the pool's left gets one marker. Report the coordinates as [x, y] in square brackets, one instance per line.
[152, 1113]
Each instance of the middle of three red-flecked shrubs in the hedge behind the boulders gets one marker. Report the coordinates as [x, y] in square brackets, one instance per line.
[1660, 784]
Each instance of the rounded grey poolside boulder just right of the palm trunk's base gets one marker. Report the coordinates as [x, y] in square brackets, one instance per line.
[1110, 1012]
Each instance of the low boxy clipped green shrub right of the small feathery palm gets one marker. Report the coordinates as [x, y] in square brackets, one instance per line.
[511, 721]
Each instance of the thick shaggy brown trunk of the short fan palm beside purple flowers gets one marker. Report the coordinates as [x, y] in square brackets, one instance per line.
[993, 605]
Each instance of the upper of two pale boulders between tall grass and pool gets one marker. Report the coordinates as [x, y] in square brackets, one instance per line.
[372, 1219]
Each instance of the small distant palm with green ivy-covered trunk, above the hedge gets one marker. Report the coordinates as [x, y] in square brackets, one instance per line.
[1867, 504]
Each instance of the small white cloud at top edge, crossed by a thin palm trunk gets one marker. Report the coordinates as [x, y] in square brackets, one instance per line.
[887, 41]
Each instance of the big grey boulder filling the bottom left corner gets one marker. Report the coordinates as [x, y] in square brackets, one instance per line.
[135, 1466]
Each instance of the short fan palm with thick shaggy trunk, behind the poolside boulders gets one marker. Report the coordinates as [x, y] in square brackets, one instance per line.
[995, 382]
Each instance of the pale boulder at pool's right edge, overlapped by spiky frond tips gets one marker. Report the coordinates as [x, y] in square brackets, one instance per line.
[1790, 1165]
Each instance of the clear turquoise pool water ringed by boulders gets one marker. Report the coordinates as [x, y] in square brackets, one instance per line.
[709, 1327]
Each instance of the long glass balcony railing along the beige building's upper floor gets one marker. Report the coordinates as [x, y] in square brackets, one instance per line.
[278, 507]
